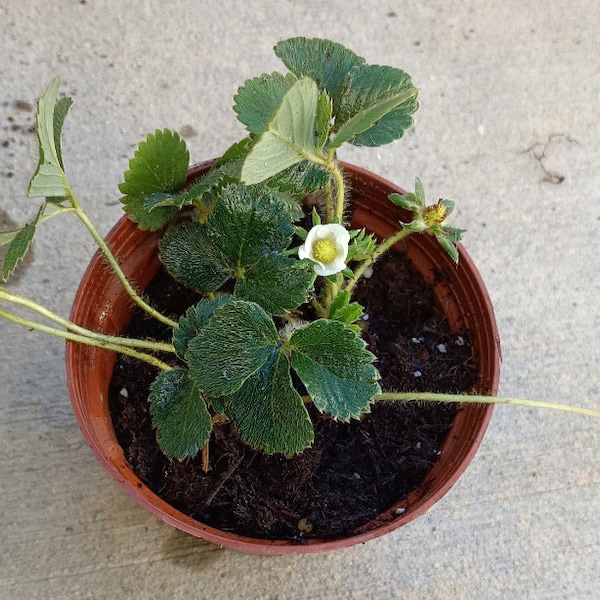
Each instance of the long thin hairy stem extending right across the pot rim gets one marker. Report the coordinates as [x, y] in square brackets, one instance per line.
[475, 399]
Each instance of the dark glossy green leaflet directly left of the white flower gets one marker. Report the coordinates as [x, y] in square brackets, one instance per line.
[248, 223]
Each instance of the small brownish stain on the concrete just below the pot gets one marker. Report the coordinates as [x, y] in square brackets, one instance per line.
[190, 553]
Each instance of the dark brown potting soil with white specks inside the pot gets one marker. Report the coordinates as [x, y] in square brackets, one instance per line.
[353, 471]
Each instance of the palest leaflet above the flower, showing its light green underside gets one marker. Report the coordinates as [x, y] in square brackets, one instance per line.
[290, 135]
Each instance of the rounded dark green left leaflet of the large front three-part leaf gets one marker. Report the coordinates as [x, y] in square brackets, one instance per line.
[237, 341]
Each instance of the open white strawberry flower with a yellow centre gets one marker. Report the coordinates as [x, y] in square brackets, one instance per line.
[327, 247]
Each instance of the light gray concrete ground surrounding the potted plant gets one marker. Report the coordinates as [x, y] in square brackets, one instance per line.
[509, 126]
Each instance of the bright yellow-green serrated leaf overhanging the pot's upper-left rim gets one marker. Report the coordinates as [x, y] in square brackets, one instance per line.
[159, 165]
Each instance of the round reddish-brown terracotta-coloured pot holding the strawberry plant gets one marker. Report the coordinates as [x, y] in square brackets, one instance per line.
[102, 305]
